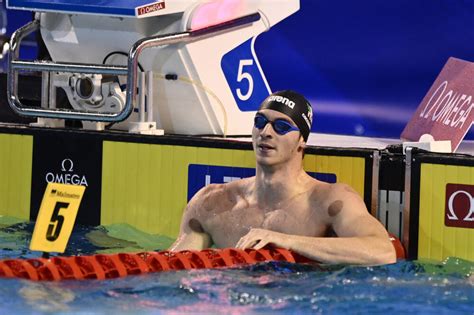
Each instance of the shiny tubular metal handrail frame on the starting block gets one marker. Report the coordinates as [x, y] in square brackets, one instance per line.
[130, 70]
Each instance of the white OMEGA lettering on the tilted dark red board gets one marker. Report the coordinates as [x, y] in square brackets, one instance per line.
[450, 108]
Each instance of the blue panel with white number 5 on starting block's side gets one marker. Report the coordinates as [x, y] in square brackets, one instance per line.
[245, 76]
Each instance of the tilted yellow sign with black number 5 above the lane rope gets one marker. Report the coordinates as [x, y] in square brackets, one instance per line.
[56, 217]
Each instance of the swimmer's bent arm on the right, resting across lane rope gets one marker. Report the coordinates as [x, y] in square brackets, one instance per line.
[361, 238]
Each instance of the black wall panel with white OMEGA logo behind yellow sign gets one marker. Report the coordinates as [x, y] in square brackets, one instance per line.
[68, 158]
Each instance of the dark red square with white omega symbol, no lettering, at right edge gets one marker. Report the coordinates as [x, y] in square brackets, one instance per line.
[459, 210]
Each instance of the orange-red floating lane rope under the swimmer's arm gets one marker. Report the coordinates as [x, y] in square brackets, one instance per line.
[109, 266]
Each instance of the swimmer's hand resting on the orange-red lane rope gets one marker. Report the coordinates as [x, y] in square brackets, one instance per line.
[259, 238]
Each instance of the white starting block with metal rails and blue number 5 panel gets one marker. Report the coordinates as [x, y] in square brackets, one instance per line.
[181, 67]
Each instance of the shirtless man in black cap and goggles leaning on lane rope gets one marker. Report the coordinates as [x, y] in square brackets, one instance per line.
[282, 205]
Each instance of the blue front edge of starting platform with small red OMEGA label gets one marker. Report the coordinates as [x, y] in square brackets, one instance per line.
[124, 8]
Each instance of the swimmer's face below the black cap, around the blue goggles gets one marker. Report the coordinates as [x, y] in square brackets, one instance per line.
[272, 148]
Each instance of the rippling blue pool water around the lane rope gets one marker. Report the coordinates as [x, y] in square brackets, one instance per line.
[416, 287]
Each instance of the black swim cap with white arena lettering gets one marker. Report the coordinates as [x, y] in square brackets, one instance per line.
[295, 106]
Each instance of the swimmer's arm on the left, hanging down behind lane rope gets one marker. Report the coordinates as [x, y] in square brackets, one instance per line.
[192, 236]
